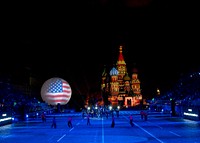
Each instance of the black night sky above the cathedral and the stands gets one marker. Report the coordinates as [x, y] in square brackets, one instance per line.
[76, 40]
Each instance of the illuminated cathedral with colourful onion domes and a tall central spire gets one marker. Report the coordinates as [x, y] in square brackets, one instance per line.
[118, 88]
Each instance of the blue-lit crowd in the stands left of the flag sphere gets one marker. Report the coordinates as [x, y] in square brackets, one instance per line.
[18, 104]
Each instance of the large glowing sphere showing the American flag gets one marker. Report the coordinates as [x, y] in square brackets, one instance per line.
[56, 91]
